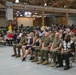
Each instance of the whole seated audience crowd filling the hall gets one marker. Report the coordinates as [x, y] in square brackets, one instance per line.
[56, 40]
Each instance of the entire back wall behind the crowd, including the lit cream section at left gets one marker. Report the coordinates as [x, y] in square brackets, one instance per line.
[38, 21]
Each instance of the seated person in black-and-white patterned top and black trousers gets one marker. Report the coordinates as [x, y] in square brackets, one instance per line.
[67, 51]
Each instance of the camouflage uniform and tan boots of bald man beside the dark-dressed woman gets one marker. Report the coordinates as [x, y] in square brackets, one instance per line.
[44, 51]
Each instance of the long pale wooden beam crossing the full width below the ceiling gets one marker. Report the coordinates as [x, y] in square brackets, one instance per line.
[39, 8]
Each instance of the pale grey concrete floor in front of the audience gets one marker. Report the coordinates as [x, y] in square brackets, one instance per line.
[14, 66]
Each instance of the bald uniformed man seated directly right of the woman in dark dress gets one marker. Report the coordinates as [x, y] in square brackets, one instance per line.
[44, 50]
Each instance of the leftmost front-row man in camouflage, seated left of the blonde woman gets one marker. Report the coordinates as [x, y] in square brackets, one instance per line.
[22, 42]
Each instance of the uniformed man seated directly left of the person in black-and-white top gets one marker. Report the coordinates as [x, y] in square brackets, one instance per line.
[55, 48]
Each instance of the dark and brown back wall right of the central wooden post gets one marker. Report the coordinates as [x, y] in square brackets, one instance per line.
[60, 20]
